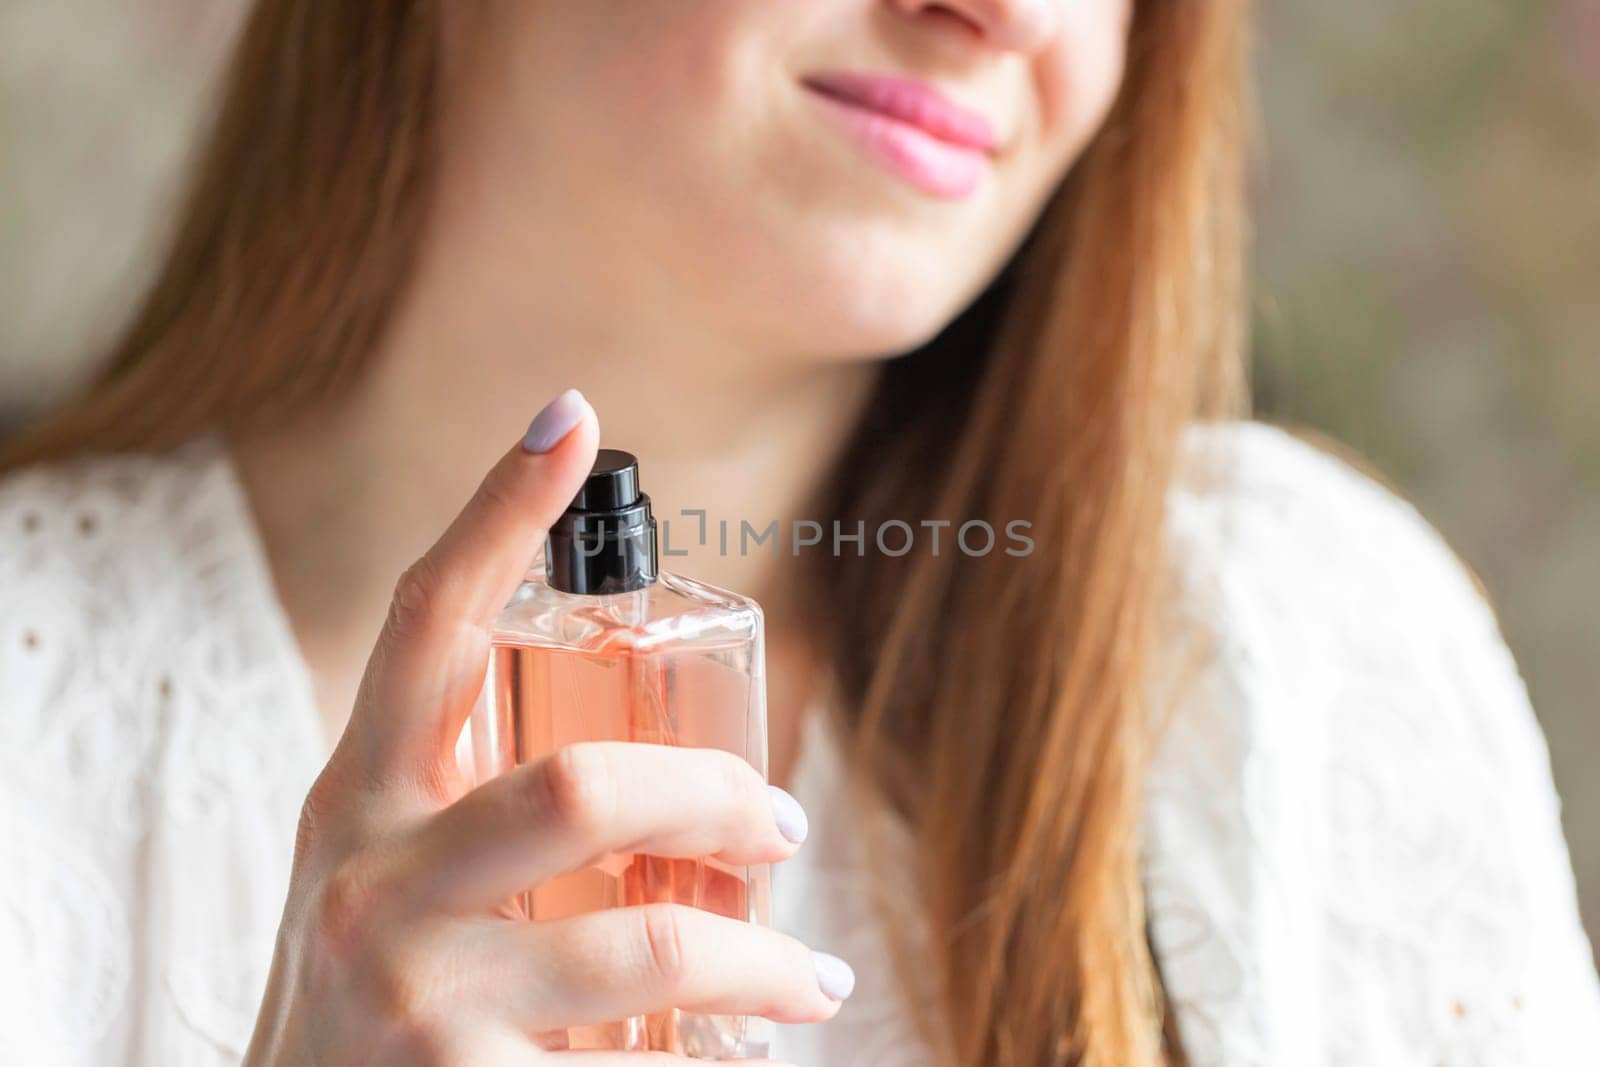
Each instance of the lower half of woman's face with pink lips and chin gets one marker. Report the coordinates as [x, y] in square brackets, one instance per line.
[828, 177]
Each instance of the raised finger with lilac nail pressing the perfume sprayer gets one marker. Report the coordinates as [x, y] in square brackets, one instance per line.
[431, 657]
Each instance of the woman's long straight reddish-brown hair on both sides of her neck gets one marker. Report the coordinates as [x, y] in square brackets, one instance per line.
[998, 703]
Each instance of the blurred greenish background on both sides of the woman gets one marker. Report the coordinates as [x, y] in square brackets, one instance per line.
[1426, 278]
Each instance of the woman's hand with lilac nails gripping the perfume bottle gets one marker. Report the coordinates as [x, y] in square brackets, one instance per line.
[398, 946]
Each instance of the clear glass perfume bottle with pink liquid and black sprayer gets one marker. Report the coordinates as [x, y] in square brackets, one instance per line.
[599, 645]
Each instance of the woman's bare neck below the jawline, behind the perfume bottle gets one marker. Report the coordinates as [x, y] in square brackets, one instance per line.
[516, 298]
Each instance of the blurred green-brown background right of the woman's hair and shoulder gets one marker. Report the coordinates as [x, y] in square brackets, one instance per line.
[1428, 290]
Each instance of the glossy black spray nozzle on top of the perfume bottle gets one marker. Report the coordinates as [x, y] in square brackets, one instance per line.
[606, 541]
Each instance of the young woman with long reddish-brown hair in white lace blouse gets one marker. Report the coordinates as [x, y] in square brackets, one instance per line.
[1231, 769]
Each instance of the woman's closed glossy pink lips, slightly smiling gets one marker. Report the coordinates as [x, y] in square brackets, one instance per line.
[910, 127]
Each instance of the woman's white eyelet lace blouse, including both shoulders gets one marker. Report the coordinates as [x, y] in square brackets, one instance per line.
[1353, 845]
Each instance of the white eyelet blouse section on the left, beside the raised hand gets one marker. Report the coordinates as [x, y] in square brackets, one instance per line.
[158, 735]
